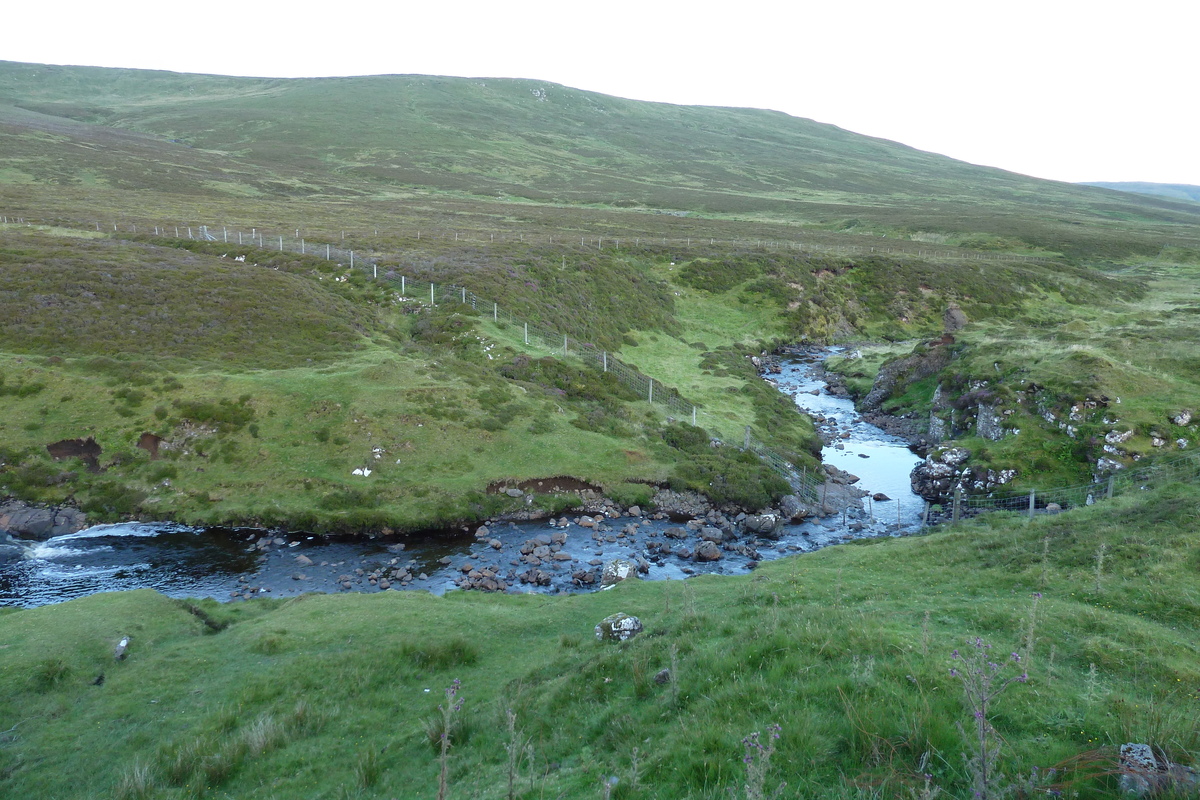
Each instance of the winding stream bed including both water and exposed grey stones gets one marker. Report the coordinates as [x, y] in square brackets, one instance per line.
[675, 536]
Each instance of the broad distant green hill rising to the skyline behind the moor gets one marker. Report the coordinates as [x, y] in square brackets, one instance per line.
[395, 139]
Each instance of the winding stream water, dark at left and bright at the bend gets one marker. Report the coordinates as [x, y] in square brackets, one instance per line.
[231, 564]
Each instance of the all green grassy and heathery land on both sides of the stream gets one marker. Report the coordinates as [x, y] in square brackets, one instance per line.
[686, 240]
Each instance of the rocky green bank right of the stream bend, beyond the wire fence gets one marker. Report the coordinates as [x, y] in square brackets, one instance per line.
[1067, 376]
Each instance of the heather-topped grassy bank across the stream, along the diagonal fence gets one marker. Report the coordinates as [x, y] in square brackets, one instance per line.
[269, 382]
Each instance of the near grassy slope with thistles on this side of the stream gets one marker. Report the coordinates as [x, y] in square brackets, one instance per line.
[847, 649]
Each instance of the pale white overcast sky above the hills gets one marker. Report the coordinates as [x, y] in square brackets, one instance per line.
[1067, 91]
